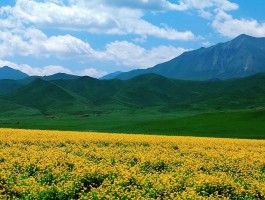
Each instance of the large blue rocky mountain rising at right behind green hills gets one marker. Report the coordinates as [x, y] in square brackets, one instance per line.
[241, 57]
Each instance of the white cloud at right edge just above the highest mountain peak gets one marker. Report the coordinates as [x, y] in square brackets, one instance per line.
[226, 25]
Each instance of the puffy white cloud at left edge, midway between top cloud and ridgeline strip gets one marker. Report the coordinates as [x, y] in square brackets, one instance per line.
[32, 42]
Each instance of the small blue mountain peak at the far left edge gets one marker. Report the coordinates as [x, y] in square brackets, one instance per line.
[10, 73]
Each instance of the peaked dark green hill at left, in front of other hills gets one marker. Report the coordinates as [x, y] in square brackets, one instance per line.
[45, 96]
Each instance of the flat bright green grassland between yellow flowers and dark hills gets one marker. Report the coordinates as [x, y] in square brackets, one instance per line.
[229, 124]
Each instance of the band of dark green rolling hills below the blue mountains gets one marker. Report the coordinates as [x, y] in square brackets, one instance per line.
[86, 94]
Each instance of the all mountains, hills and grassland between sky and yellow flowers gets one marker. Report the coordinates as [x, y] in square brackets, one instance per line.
[217, 91]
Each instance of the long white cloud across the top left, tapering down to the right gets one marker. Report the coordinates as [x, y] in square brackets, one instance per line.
[99, 16]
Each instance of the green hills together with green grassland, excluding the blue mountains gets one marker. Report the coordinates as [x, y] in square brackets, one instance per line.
[149, 104]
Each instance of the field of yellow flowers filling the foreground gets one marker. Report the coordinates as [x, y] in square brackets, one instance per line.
[79, 165]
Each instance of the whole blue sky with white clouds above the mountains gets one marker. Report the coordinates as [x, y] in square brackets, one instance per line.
[97, 37]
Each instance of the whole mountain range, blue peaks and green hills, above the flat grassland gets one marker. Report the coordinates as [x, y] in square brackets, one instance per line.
[160, 87]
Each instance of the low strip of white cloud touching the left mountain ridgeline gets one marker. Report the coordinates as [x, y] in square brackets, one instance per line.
[51, 69]
